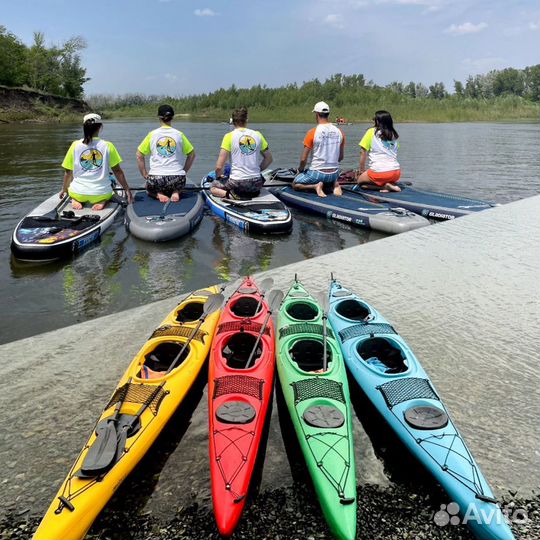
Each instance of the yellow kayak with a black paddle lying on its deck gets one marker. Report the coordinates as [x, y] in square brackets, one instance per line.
[142, 403]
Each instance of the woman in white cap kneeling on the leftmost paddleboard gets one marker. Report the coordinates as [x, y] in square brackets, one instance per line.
[87, 164]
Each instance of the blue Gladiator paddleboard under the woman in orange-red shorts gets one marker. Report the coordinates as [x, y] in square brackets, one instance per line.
[432, 205]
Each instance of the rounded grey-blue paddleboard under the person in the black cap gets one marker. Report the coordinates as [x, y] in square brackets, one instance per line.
[151, 220]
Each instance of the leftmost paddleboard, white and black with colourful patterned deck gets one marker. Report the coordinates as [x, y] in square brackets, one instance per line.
[53, 230]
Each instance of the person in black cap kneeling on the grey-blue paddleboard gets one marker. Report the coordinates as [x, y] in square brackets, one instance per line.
[166, 146]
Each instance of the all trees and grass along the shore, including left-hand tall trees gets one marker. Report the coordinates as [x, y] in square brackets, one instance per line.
[506, 94]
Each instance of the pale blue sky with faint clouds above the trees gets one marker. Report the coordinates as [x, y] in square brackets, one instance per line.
[183, 47]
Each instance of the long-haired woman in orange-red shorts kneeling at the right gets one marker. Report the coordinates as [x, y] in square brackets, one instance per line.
[380, 146]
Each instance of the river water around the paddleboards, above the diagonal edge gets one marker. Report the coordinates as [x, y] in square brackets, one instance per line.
[497, 162]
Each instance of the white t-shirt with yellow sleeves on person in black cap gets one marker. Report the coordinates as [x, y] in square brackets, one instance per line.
[167, 147]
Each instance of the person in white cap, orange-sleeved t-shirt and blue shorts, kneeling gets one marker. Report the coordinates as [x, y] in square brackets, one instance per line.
[326, 143]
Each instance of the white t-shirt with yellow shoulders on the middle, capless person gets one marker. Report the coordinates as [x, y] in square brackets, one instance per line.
[245, 146]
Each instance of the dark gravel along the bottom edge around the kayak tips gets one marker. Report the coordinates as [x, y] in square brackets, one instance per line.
[391, 513]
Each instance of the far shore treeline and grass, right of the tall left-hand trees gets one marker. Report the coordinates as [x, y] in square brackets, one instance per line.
[507, 94]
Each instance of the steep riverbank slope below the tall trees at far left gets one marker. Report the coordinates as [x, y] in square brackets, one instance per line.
[20, 105]
